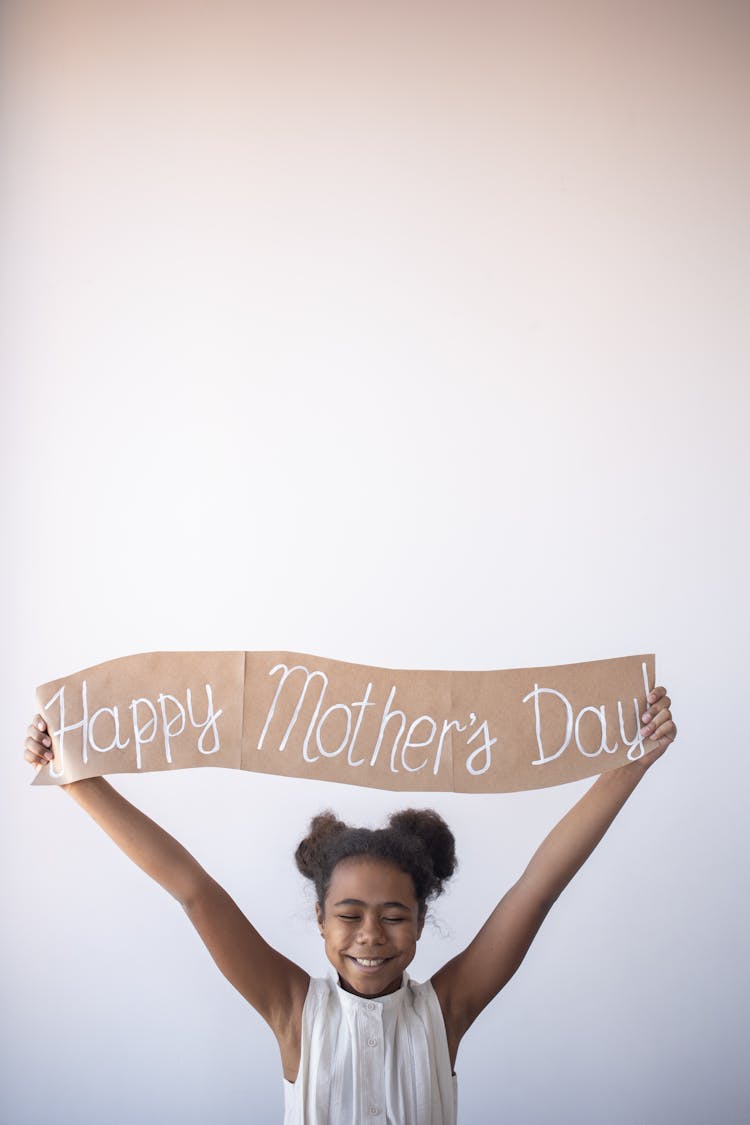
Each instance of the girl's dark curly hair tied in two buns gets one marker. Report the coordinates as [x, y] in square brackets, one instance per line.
[417, 841]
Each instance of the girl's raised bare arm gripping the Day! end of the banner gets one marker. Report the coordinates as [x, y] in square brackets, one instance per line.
[468, 983]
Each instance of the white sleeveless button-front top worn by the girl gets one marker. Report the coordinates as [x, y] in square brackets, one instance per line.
[383, 1061]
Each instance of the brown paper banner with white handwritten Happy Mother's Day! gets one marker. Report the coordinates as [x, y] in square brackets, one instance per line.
[310, 717]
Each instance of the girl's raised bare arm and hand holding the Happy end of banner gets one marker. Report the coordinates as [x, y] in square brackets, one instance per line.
[275, 986]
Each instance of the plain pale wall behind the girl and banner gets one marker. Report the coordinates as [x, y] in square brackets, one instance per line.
[410, 335]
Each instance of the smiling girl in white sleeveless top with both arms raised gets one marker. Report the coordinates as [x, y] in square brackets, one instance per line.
[374, 1046]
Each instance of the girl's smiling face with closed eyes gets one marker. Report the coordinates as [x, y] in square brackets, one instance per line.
[372, 925]
